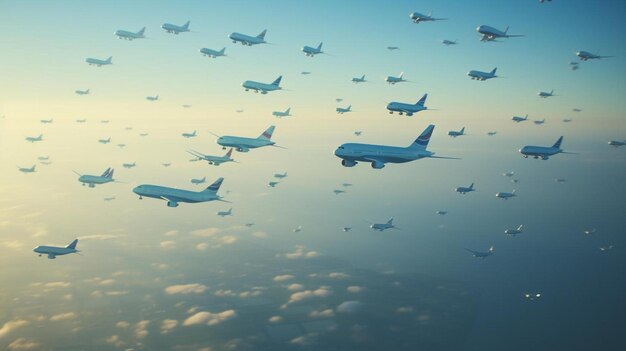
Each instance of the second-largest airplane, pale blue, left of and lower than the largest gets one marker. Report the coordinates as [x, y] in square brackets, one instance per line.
[173, 196]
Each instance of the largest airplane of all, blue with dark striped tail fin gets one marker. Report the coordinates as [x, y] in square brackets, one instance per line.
[379, 155]
